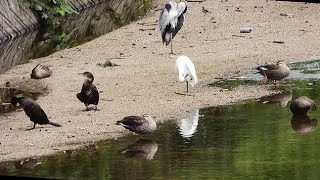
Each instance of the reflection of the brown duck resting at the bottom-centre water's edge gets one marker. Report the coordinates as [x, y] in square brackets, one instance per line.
[142, 149]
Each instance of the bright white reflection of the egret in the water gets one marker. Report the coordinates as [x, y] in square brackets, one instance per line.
[188, 125]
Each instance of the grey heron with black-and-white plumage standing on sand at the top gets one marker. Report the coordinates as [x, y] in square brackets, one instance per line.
[171, 21]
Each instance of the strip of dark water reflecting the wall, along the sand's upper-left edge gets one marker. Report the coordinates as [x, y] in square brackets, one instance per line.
[76, 29]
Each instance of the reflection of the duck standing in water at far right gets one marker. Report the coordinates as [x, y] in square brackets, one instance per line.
[303, 124]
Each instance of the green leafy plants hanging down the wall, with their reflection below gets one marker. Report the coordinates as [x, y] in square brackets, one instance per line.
[52, 38]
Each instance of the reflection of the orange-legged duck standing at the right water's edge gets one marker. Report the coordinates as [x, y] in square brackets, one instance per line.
[280, 99]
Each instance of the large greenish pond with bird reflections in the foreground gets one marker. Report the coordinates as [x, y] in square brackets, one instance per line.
[253, 139]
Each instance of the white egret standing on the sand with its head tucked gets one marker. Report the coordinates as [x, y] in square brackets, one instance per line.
[186, 70]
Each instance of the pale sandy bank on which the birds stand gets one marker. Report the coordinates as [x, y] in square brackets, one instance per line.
[146, 81]
